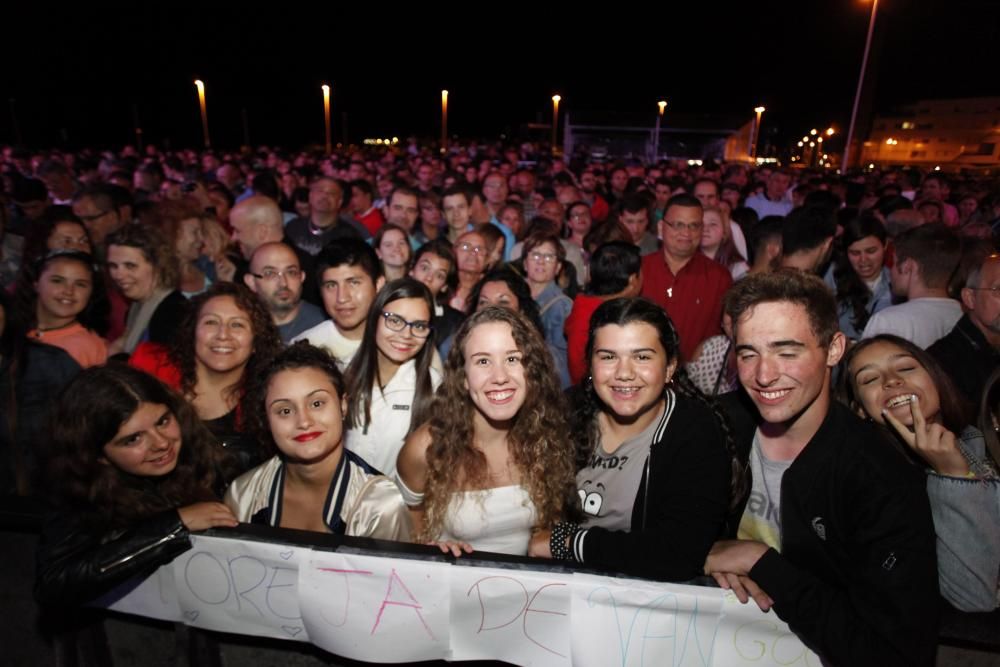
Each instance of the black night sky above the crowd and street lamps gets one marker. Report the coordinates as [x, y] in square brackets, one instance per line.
[75, 77]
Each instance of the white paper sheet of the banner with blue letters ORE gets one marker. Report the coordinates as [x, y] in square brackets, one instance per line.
[244, 587]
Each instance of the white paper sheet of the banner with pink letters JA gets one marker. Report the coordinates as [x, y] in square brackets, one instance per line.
[376, 609]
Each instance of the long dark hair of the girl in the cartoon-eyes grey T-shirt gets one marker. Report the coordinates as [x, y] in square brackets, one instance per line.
[586, 404]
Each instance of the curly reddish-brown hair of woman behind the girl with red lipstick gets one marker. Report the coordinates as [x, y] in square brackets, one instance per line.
[266, 340]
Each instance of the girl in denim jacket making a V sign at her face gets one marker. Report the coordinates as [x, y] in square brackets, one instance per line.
[897, 385]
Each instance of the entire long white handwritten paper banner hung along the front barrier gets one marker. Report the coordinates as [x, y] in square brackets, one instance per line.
[398, 610]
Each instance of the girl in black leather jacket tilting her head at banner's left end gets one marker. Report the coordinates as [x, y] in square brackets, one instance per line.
[132, 473]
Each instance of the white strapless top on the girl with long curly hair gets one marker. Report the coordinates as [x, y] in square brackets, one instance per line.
[498, 520]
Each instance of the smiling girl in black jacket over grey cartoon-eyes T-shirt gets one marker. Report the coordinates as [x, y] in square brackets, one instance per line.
[657, 467]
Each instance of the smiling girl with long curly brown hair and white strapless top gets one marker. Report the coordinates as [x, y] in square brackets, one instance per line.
[494, 463]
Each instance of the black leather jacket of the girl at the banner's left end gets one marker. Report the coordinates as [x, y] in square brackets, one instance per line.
[78, 562]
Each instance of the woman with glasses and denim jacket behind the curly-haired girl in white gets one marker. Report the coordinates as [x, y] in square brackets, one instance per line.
[543, 257]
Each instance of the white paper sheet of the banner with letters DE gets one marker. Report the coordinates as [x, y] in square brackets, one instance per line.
[517, 616]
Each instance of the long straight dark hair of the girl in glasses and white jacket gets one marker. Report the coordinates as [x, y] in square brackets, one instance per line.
[362, 374]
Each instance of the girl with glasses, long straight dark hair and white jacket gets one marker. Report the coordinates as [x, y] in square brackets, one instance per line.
[390, 382]
